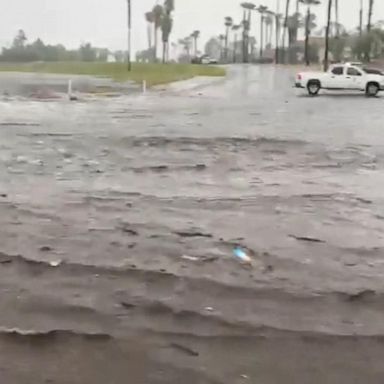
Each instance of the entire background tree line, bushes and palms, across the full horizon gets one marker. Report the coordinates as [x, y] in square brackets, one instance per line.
[278, 33]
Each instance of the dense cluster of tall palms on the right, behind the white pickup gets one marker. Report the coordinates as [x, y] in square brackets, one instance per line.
[281, 31]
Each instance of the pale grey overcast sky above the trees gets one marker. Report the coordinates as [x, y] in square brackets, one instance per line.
[102, 22]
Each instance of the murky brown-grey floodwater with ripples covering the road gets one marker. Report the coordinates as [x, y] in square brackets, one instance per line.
[119, 218]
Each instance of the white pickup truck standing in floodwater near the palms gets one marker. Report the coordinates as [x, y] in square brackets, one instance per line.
[342, 77]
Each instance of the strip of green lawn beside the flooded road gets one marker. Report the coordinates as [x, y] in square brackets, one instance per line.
[154, 74]
